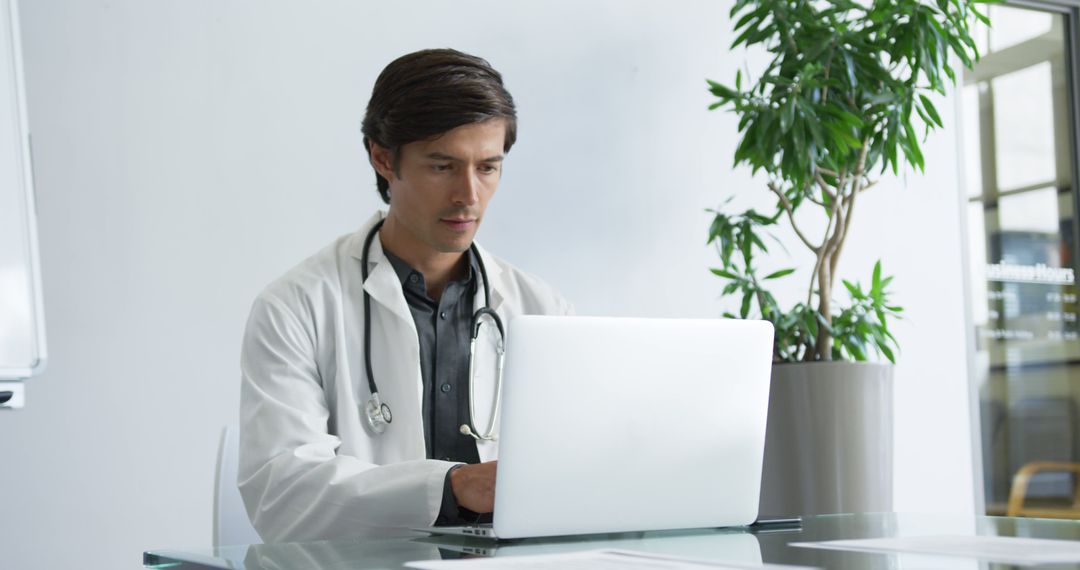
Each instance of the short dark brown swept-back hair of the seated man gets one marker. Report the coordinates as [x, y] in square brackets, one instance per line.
[425, 94]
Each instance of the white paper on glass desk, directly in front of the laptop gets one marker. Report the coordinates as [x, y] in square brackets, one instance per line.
[602, 560]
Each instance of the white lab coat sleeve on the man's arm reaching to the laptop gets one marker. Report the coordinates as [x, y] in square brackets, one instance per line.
[294, 484]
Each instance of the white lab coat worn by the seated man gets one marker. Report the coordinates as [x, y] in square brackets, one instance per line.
[310, 468]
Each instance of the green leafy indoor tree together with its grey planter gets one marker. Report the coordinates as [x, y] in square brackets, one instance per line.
[832, 111]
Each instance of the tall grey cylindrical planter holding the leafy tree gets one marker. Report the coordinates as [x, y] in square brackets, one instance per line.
[829, 442]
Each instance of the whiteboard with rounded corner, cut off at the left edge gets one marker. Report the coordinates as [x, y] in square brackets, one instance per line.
[22, 316]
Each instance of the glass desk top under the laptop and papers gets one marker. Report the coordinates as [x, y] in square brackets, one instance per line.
[735, 547]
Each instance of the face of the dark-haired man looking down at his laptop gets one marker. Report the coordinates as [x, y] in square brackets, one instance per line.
[442, 187]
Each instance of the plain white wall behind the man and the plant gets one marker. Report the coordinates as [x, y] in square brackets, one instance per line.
[188, 153]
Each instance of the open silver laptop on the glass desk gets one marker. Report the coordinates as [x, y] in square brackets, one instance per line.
[629, 425]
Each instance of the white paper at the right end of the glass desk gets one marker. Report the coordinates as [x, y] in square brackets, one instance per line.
[1010, 550]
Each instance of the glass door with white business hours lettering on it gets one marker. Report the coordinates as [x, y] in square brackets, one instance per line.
[1020, 165]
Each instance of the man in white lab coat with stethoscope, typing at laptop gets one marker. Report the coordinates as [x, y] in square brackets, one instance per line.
[320, 457]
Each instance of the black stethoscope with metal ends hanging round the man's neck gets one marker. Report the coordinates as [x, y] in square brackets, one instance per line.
[377, 413]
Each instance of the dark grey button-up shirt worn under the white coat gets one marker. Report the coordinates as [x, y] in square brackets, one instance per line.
[443, 330]
